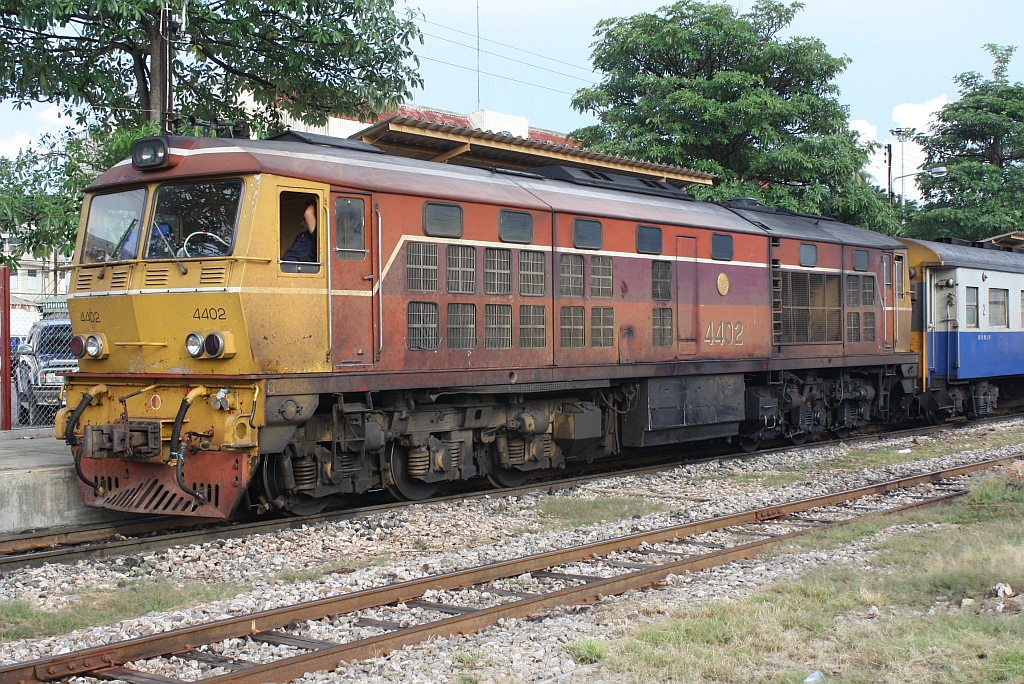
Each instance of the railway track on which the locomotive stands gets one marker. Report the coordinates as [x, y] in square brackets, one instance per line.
[150, 534]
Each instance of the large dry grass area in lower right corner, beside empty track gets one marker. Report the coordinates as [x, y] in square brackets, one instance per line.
[785, 632]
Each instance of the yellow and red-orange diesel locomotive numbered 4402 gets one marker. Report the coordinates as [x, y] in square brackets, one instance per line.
[460, 323]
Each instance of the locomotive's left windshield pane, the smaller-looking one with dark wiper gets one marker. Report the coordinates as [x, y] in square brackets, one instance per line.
[114, 226]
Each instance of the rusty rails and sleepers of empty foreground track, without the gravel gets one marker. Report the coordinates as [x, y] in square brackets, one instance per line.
[271, 627]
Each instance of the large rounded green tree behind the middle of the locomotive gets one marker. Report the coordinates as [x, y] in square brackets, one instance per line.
[701, 85]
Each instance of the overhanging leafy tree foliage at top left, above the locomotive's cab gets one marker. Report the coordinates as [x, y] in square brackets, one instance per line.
[308, 58]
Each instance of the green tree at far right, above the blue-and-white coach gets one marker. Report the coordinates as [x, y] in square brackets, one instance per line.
[980, 141]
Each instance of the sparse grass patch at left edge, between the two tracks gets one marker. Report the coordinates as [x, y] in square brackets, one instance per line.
[19, 620]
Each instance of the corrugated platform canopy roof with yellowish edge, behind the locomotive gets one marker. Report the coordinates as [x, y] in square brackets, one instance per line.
[445, 137]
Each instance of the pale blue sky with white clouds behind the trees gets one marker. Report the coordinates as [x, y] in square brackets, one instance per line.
[535, 54]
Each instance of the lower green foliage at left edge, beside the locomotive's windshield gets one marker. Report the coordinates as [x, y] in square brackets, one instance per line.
[41, 189]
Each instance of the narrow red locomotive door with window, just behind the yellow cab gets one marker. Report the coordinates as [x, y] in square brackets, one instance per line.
[354, 275]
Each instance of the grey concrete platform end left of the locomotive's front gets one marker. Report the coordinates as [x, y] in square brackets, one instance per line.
[37, 485]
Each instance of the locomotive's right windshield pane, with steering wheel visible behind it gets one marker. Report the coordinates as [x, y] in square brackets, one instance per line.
[195, 220]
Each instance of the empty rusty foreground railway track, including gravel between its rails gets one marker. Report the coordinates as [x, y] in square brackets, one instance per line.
[574, 576]
